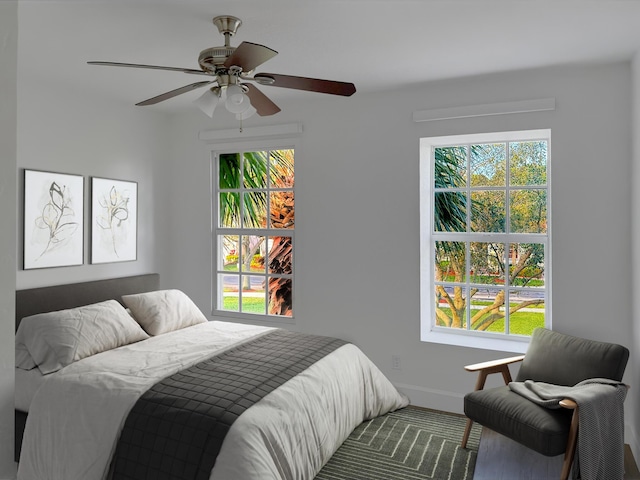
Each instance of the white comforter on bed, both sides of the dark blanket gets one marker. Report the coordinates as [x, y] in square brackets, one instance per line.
[76, 416]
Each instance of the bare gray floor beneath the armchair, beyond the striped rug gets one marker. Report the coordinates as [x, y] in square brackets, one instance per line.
[500, 458]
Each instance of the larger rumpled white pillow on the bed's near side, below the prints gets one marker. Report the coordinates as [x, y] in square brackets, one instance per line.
[56, 339]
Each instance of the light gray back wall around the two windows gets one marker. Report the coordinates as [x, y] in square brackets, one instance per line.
[357, 225]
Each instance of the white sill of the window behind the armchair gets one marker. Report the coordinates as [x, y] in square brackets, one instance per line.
[484, 341]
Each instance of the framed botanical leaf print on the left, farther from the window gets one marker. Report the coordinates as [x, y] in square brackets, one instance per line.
[53, 219]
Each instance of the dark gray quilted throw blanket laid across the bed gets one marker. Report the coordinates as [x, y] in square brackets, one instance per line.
[176, 429]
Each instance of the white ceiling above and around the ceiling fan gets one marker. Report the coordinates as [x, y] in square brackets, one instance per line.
[377, 45]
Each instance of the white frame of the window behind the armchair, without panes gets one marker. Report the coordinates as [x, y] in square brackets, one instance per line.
[462, 337]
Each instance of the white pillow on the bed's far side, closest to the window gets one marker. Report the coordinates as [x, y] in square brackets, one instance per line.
[163, 311]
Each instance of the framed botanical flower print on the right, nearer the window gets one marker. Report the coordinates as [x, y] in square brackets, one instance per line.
[114, 220]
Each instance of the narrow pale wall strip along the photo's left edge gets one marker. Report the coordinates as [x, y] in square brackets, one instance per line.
[8, 139]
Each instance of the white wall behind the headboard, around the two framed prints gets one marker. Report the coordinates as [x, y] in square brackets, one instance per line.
[72, 131]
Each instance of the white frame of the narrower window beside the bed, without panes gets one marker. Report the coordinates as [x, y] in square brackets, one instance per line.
[216, 297]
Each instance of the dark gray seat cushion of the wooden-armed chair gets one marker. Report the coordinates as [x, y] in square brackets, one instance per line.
[541, 429]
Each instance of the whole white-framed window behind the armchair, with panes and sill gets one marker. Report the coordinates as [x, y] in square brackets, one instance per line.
[485, 249]
